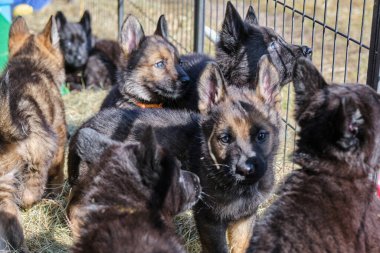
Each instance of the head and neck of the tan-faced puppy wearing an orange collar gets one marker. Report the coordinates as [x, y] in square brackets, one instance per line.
[150, 73]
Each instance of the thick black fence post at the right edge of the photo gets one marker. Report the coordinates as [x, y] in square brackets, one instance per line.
[373, 72]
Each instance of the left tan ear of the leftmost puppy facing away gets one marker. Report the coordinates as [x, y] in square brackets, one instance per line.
[17, 33]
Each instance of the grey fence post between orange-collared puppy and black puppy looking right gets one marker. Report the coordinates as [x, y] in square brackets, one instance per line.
[199, 25]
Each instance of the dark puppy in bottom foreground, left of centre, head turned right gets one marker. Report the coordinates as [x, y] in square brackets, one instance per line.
[137, 189]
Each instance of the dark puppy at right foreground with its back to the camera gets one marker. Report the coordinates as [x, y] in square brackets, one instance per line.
[329, 205]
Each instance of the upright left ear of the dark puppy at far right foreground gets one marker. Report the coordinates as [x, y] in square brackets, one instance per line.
[306, 80]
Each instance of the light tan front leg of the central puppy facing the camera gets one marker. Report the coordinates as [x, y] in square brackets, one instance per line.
[240, 233]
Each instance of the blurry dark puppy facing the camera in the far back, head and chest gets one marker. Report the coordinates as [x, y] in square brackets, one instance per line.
[76, 42]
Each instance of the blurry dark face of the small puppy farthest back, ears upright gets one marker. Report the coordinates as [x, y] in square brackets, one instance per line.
[75, 39]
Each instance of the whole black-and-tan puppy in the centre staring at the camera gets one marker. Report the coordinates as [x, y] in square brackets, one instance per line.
[230, 145]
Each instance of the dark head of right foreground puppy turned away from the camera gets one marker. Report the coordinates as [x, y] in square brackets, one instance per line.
[338, 122]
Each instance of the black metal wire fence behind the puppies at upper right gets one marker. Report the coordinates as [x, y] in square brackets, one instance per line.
[338, 31]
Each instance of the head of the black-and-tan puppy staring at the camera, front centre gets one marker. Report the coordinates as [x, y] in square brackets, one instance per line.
[240, 126]
